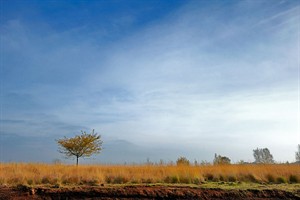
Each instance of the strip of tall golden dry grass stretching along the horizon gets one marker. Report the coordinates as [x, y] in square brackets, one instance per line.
[58, 174]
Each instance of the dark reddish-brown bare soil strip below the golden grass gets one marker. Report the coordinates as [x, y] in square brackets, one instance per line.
[140, 192]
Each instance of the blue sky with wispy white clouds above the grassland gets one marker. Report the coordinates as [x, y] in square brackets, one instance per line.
[156, 79]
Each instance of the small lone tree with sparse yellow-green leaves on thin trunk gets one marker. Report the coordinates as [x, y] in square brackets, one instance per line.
[84, 145]
